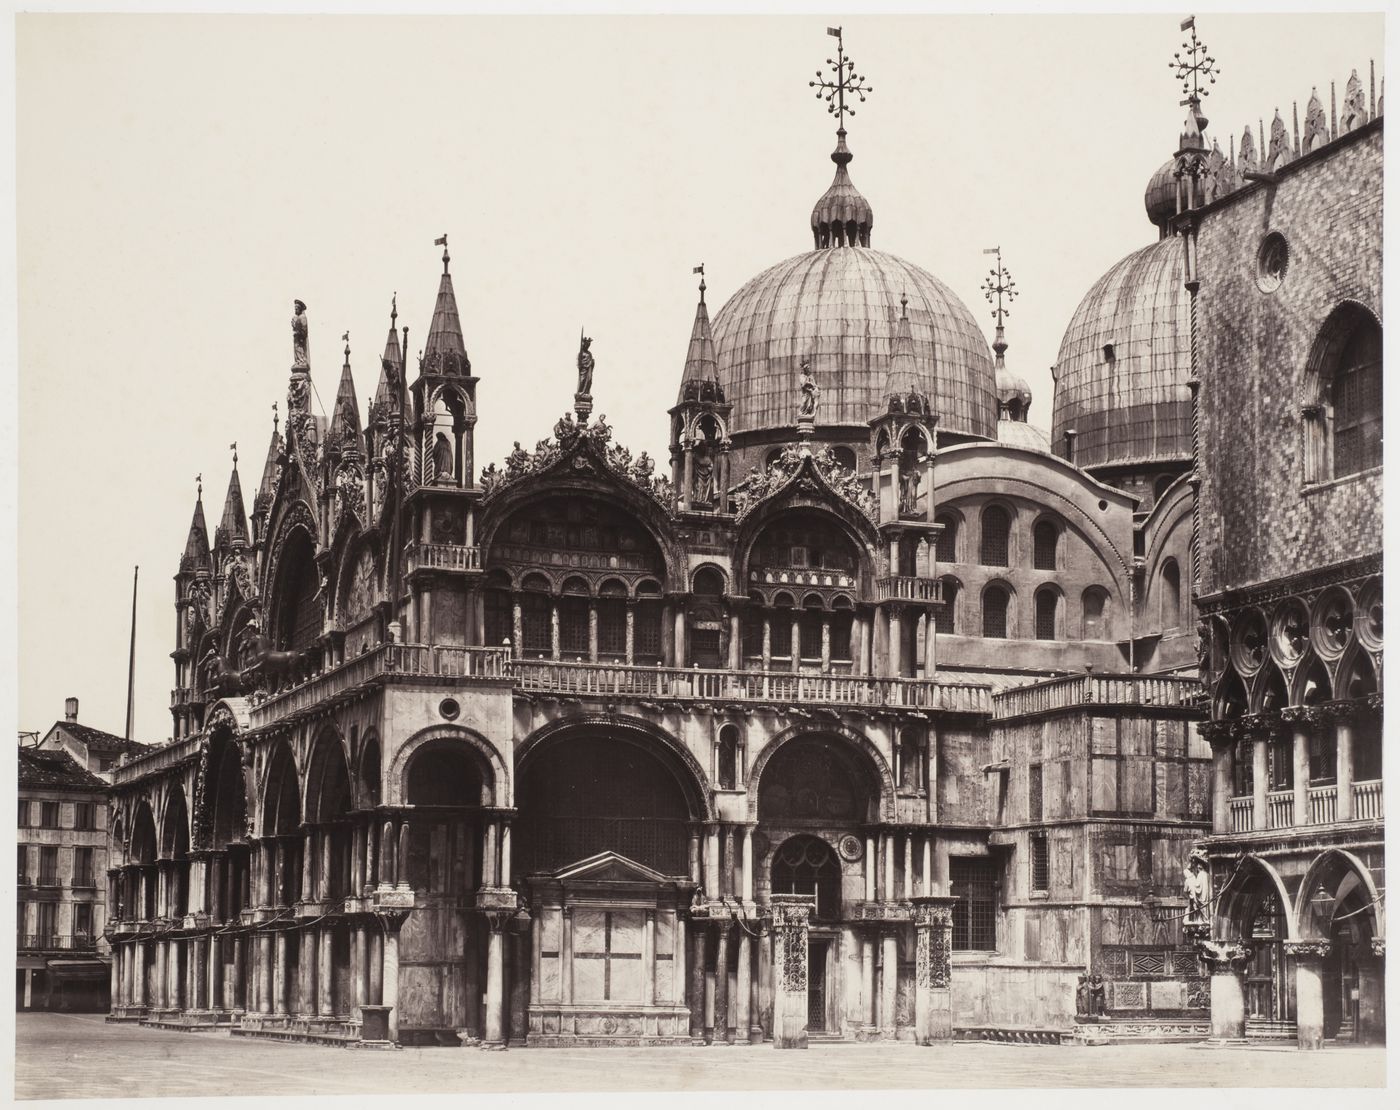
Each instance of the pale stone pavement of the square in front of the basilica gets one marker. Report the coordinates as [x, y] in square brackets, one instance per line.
[80, 1056]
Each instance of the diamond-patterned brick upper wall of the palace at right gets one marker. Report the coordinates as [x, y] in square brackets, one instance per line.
[1258, 523]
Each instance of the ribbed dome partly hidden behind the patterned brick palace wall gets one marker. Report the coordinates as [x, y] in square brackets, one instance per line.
[1123, 366]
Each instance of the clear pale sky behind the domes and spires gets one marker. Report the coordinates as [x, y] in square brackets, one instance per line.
[181, 180]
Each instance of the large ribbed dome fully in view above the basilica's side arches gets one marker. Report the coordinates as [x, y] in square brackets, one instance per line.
[841, 310]
